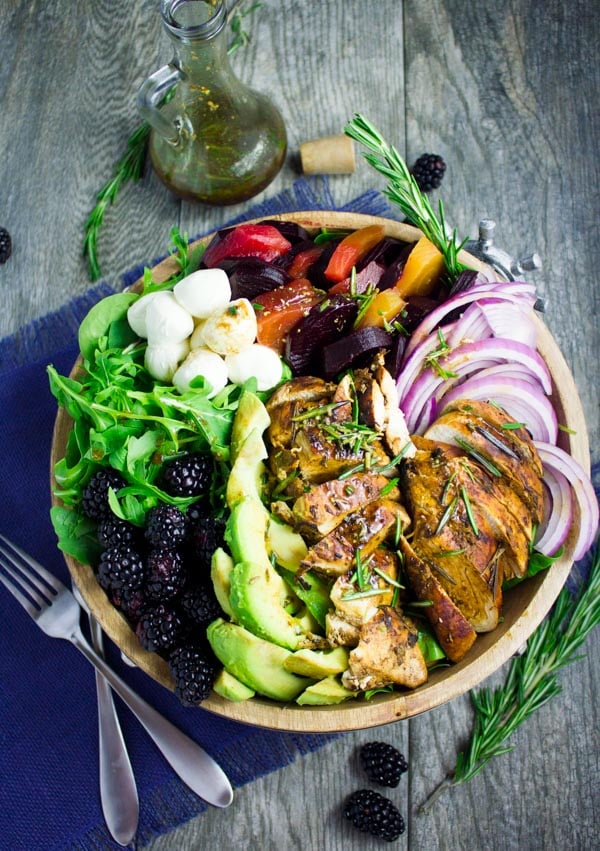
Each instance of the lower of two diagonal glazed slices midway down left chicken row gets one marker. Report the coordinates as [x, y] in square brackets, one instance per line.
[364, 530]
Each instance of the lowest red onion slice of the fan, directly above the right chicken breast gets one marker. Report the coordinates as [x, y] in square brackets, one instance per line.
[518, 398]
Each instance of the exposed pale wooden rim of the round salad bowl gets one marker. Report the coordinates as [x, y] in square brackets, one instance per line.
[524, 606]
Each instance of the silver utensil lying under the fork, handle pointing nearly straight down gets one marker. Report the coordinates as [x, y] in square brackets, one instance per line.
[118, 792]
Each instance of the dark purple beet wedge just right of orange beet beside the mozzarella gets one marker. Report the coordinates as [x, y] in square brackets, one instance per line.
[324, 324]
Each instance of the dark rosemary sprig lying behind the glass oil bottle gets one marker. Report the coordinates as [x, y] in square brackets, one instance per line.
[131, 164]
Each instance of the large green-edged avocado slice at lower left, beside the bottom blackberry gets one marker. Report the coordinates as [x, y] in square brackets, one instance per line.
[255, 662]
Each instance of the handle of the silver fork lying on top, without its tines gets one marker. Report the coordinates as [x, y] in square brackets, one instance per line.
[190, 762]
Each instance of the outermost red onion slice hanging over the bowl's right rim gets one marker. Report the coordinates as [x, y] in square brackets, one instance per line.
[556, 460]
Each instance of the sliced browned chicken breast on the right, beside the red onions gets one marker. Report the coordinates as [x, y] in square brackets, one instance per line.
[474, 499]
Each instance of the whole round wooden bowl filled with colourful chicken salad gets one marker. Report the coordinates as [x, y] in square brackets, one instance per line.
[321, 471]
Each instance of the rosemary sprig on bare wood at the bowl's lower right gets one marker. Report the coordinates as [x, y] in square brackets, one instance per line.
[531, 680]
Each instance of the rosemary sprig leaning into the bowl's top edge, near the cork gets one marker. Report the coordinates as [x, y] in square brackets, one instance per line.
[404, 191]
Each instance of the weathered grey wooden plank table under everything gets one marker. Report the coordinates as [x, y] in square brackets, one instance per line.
[507, 93]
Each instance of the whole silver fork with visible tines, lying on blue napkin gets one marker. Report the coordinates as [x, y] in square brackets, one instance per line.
[56, 611]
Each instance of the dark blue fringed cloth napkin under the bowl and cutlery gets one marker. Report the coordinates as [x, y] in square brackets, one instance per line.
[49, 797]
